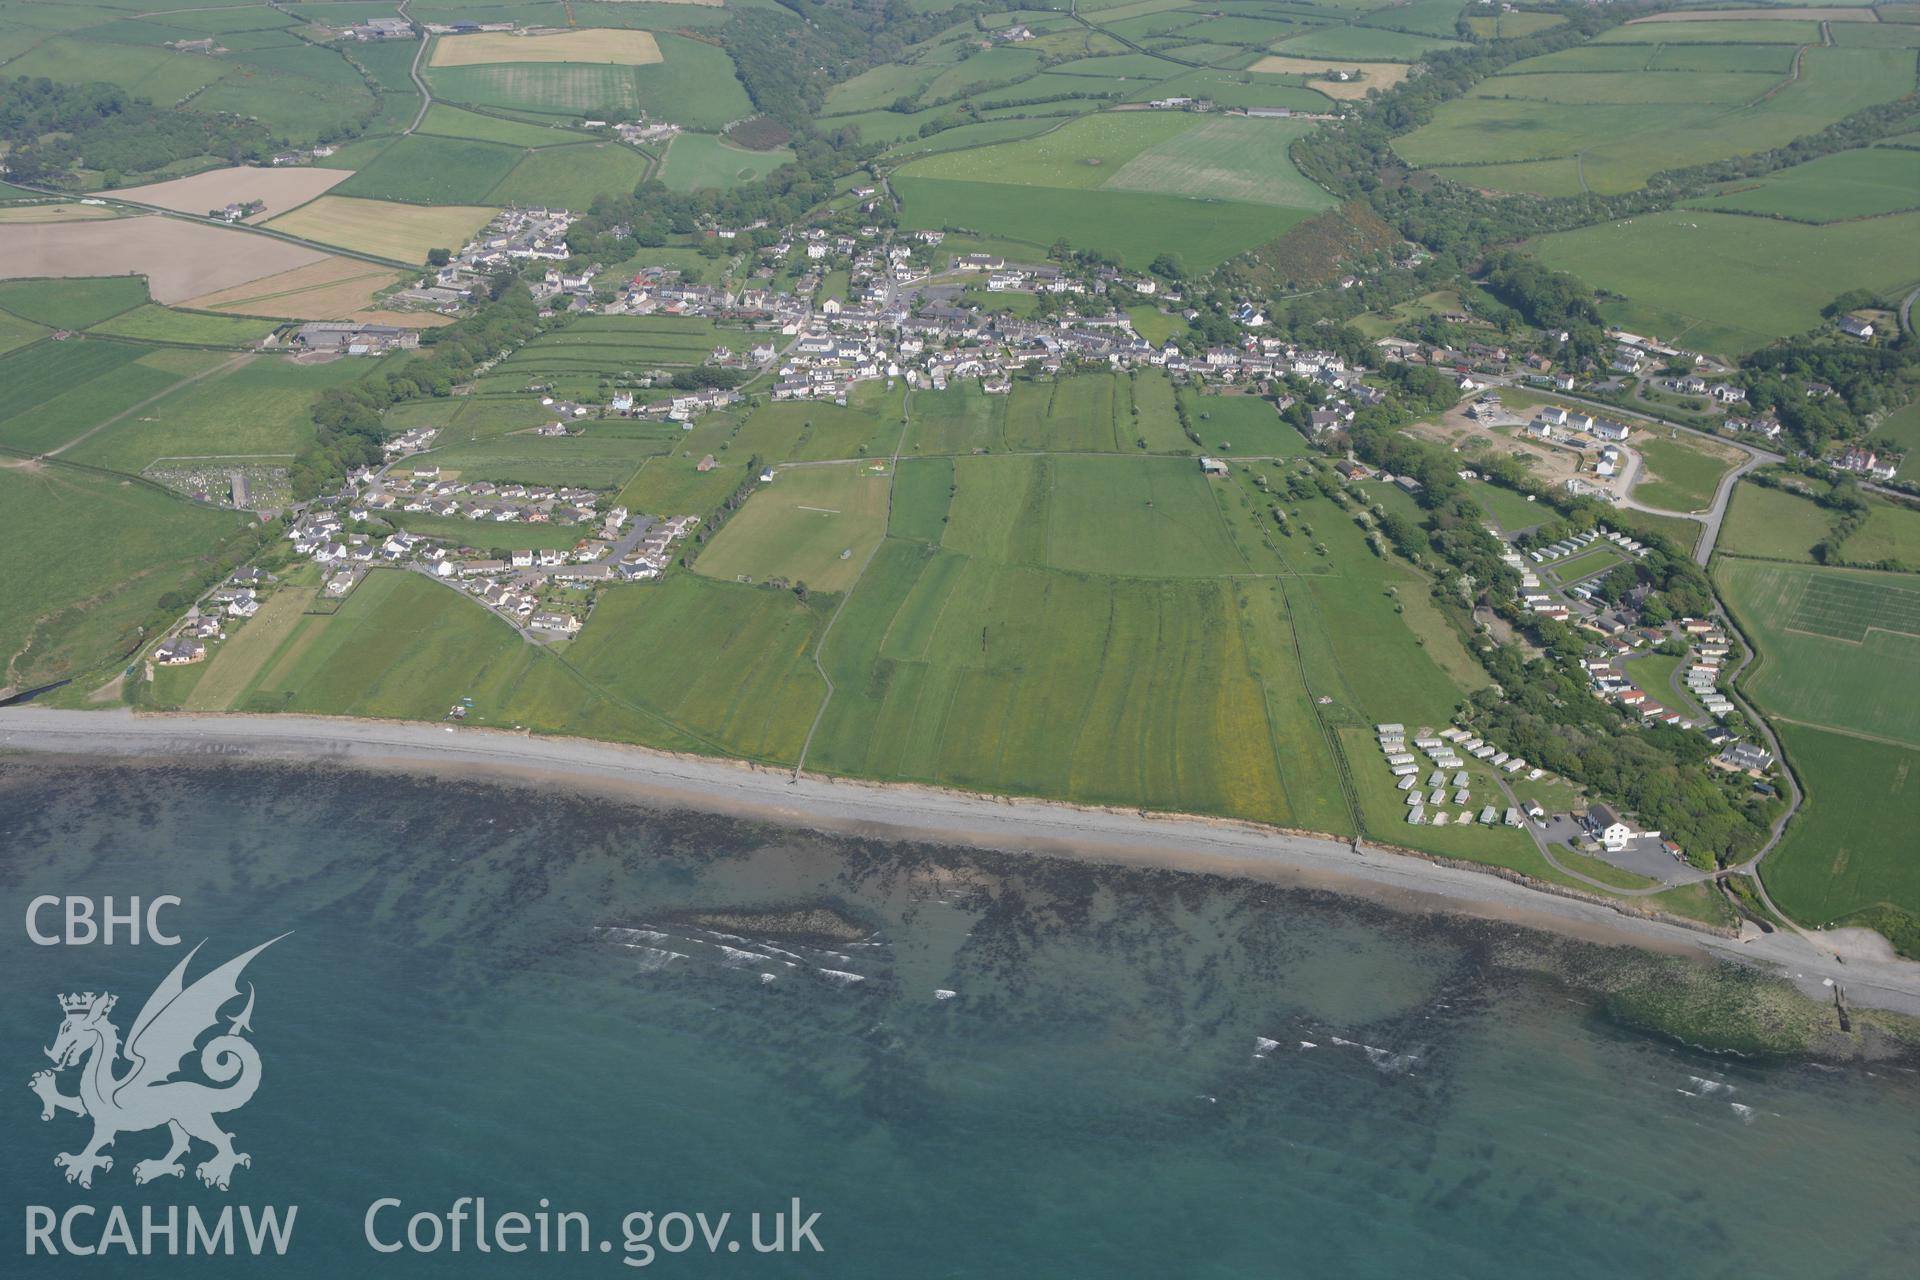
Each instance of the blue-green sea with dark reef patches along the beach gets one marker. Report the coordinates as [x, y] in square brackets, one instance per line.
[516, 995]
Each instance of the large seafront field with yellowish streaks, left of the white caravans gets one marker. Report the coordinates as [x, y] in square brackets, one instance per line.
[959, 671]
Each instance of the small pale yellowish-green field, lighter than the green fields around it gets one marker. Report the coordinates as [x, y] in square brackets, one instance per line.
[813, 525]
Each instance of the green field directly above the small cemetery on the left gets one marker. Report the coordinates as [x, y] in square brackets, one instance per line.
[262, 406]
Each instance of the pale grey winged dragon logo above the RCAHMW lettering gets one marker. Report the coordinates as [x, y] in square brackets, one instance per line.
[147, 1097]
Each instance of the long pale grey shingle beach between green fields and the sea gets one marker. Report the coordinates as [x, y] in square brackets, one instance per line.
[1873, 978]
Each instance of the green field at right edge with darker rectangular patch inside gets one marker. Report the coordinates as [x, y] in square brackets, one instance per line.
[1840, 650]
